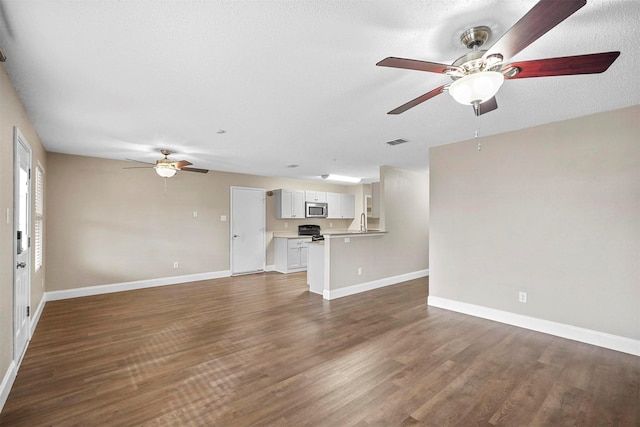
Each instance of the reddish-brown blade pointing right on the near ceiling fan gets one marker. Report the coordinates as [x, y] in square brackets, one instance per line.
[564, 66]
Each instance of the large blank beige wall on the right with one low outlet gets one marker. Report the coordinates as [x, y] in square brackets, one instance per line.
[553, 211]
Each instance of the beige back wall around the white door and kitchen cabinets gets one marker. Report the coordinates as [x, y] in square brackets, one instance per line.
[111, 225]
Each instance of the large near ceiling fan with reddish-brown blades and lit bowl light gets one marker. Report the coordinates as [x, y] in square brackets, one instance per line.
[478, 75]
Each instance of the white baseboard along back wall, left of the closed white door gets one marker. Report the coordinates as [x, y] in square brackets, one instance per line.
[139, 284]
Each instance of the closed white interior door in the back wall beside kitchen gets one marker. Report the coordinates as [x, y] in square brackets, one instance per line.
[248, 223]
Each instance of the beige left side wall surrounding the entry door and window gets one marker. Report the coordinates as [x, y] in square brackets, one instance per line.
[12, 114]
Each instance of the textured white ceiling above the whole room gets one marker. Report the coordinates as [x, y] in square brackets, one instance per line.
[291, 82]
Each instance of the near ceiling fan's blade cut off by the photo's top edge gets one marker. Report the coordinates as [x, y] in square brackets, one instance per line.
[545, 15]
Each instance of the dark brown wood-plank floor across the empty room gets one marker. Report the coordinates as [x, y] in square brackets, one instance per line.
[262, 350]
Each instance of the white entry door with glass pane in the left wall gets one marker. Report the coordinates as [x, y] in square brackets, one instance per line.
[22, 244]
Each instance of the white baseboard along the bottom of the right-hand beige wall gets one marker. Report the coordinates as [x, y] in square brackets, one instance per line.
[588, 336]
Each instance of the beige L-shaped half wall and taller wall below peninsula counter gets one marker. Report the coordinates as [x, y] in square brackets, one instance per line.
[403, 249]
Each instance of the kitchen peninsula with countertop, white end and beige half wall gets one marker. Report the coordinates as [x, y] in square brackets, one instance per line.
[334, 279]
